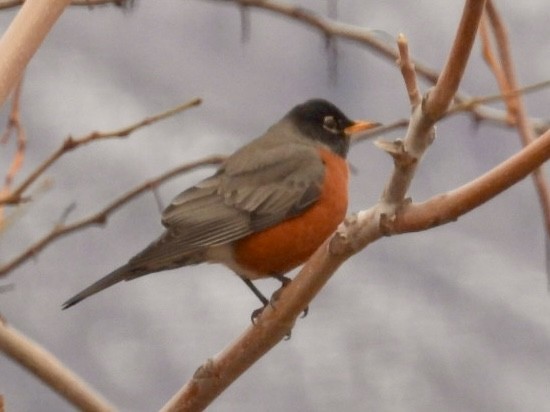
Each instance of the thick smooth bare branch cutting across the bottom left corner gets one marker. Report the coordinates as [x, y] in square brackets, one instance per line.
[50, 370]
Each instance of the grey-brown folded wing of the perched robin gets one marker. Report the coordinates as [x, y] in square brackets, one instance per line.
[246, 195]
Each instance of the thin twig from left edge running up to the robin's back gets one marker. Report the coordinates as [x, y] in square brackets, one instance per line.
[100, 218]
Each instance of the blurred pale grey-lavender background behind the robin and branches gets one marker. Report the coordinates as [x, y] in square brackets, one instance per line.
[456, 318]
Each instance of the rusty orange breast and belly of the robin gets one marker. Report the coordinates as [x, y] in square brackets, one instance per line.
[281, 248]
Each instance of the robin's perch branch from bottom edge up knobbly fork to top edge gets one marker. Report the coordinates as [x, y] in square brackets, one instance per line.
[353, 235]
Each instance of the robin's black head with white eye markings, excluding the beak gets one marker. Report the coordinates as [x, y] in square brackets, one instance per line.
[320, 120]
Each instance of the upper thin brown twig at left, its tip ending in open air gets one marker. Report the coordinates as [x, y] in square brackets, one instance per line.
[16, 196]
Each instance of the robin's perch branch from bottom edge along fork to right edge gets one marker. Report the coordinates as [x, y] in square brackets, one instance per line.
[355, 234]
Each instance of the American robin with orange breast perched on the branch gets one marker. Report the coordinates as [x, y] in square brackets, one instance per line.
[265, 211]
